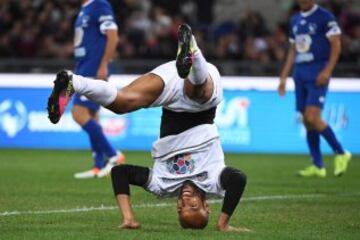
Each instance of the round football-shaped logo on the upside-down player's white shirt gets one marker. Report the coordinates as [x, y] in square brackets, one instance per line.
[181, 164]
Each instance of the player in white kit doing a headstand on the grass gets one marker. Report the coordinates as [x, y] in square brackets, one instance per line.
[189, 160]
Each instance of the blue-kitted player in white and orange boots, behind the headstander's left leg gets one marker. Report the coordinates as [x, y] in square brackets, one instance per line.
[95, 43]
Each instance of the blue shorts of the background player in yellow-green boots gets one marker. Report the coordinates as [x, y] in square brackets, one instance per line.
[306, 91]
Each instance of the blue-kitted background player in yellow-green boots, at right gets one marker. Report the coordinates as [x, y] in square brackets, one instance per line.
[315, 49]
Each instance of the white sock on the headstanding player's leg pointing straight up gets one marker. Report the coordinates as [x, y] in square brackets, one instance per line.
[199, 71]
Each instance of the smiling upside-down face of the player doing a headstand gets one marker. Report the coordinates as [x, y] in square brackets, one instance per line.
[190, 203]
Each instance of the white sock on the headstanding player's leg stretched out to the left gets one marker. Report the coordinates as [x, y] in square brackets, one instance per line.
[99, 91]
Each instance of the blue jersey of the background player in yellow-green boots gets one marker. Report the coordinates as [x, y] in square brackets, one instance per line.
[309, 31]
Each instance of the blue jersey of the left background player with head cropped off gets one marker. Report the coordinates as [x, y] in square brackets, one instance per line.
[95, 17]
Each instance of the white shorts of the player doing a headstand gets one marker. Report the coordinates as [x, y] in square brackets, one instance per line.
[173, 96]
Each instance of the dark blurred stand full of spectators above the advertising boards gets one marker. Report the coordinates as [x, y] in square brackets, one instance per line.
[248, 43]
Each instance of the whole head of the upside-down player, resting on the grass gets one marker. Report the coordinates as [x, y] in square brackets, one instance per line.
[193, 210]
